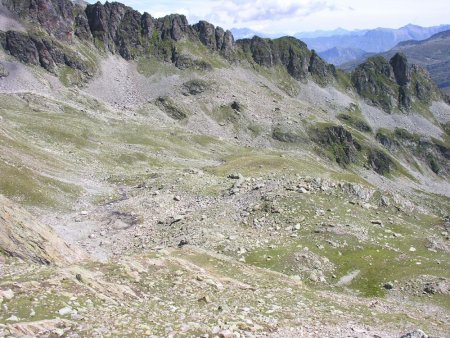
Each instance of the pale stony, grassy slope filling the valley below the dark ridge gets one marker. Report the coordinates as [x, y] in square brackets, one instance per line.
[207, 226]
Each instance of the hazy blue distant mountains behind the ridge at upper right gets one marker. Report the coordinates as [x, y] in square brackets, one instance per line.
[341, 46]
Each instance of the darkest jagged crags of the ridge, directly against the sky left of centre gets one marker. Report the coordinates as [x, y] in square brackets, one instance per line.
[121, 29]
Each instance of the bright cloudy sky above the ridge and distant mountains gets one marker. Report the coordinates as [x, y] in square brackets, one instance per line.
[291, 16]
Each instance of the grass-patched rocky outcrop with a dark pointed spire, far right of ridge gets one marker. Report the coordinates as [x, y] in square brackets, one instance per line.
[393, 85]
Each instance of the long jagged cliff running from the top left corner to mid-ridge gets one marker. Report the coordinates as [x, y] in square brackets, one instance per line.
[116, 27]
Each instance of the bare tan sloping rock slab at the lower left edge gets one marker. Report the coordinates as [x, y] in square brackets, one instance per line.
[23, 237]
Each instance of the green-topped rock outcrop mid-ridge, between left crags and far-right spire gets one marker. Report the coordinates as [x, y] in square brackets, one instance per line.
[290, 53]
